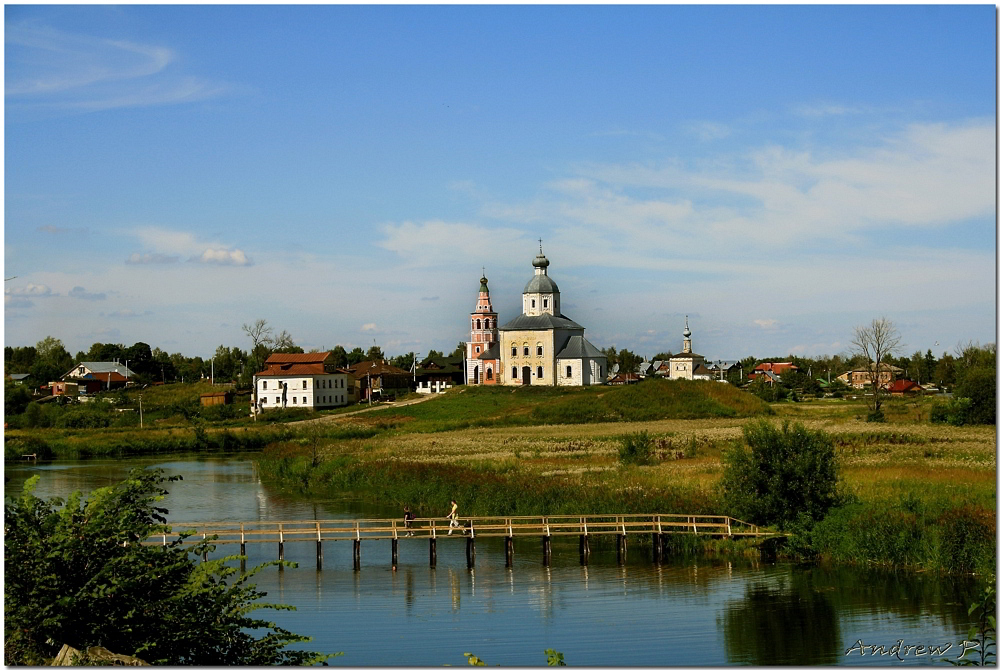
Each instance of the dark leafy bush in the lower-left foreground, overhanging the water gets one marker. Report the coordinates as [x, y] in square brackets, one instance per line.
[79, 574]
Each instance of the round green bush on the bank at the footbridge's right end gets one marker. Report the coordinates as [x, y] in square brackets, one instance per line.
[779, 474]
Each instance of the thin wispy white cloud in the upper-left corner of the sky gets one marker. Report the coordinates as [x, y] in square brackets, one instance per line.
[51, 68]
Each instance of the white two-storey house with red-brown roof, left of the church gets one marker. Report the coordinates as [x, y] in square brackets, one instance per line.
[301, 380]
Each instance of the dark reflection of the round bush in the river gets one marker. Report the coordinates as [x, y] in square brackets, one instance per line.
[781, 624]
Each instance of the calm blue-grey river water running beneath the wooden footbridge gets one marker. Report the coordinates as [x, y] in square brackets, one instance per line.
[691, 611]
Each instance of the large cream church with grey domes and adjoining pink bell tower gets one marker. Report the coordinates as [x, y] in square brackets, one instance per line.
[541, 346]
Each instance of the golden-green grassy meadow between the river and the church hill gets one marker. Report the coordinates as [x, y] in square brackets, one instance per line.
[919, 496]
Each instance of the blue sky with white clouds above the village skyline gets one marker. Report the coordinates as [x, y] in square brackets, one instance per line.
[780, 174]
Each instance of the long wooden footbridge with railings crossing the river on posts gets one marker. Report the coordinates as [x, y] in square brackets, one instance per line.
[659, 526]
